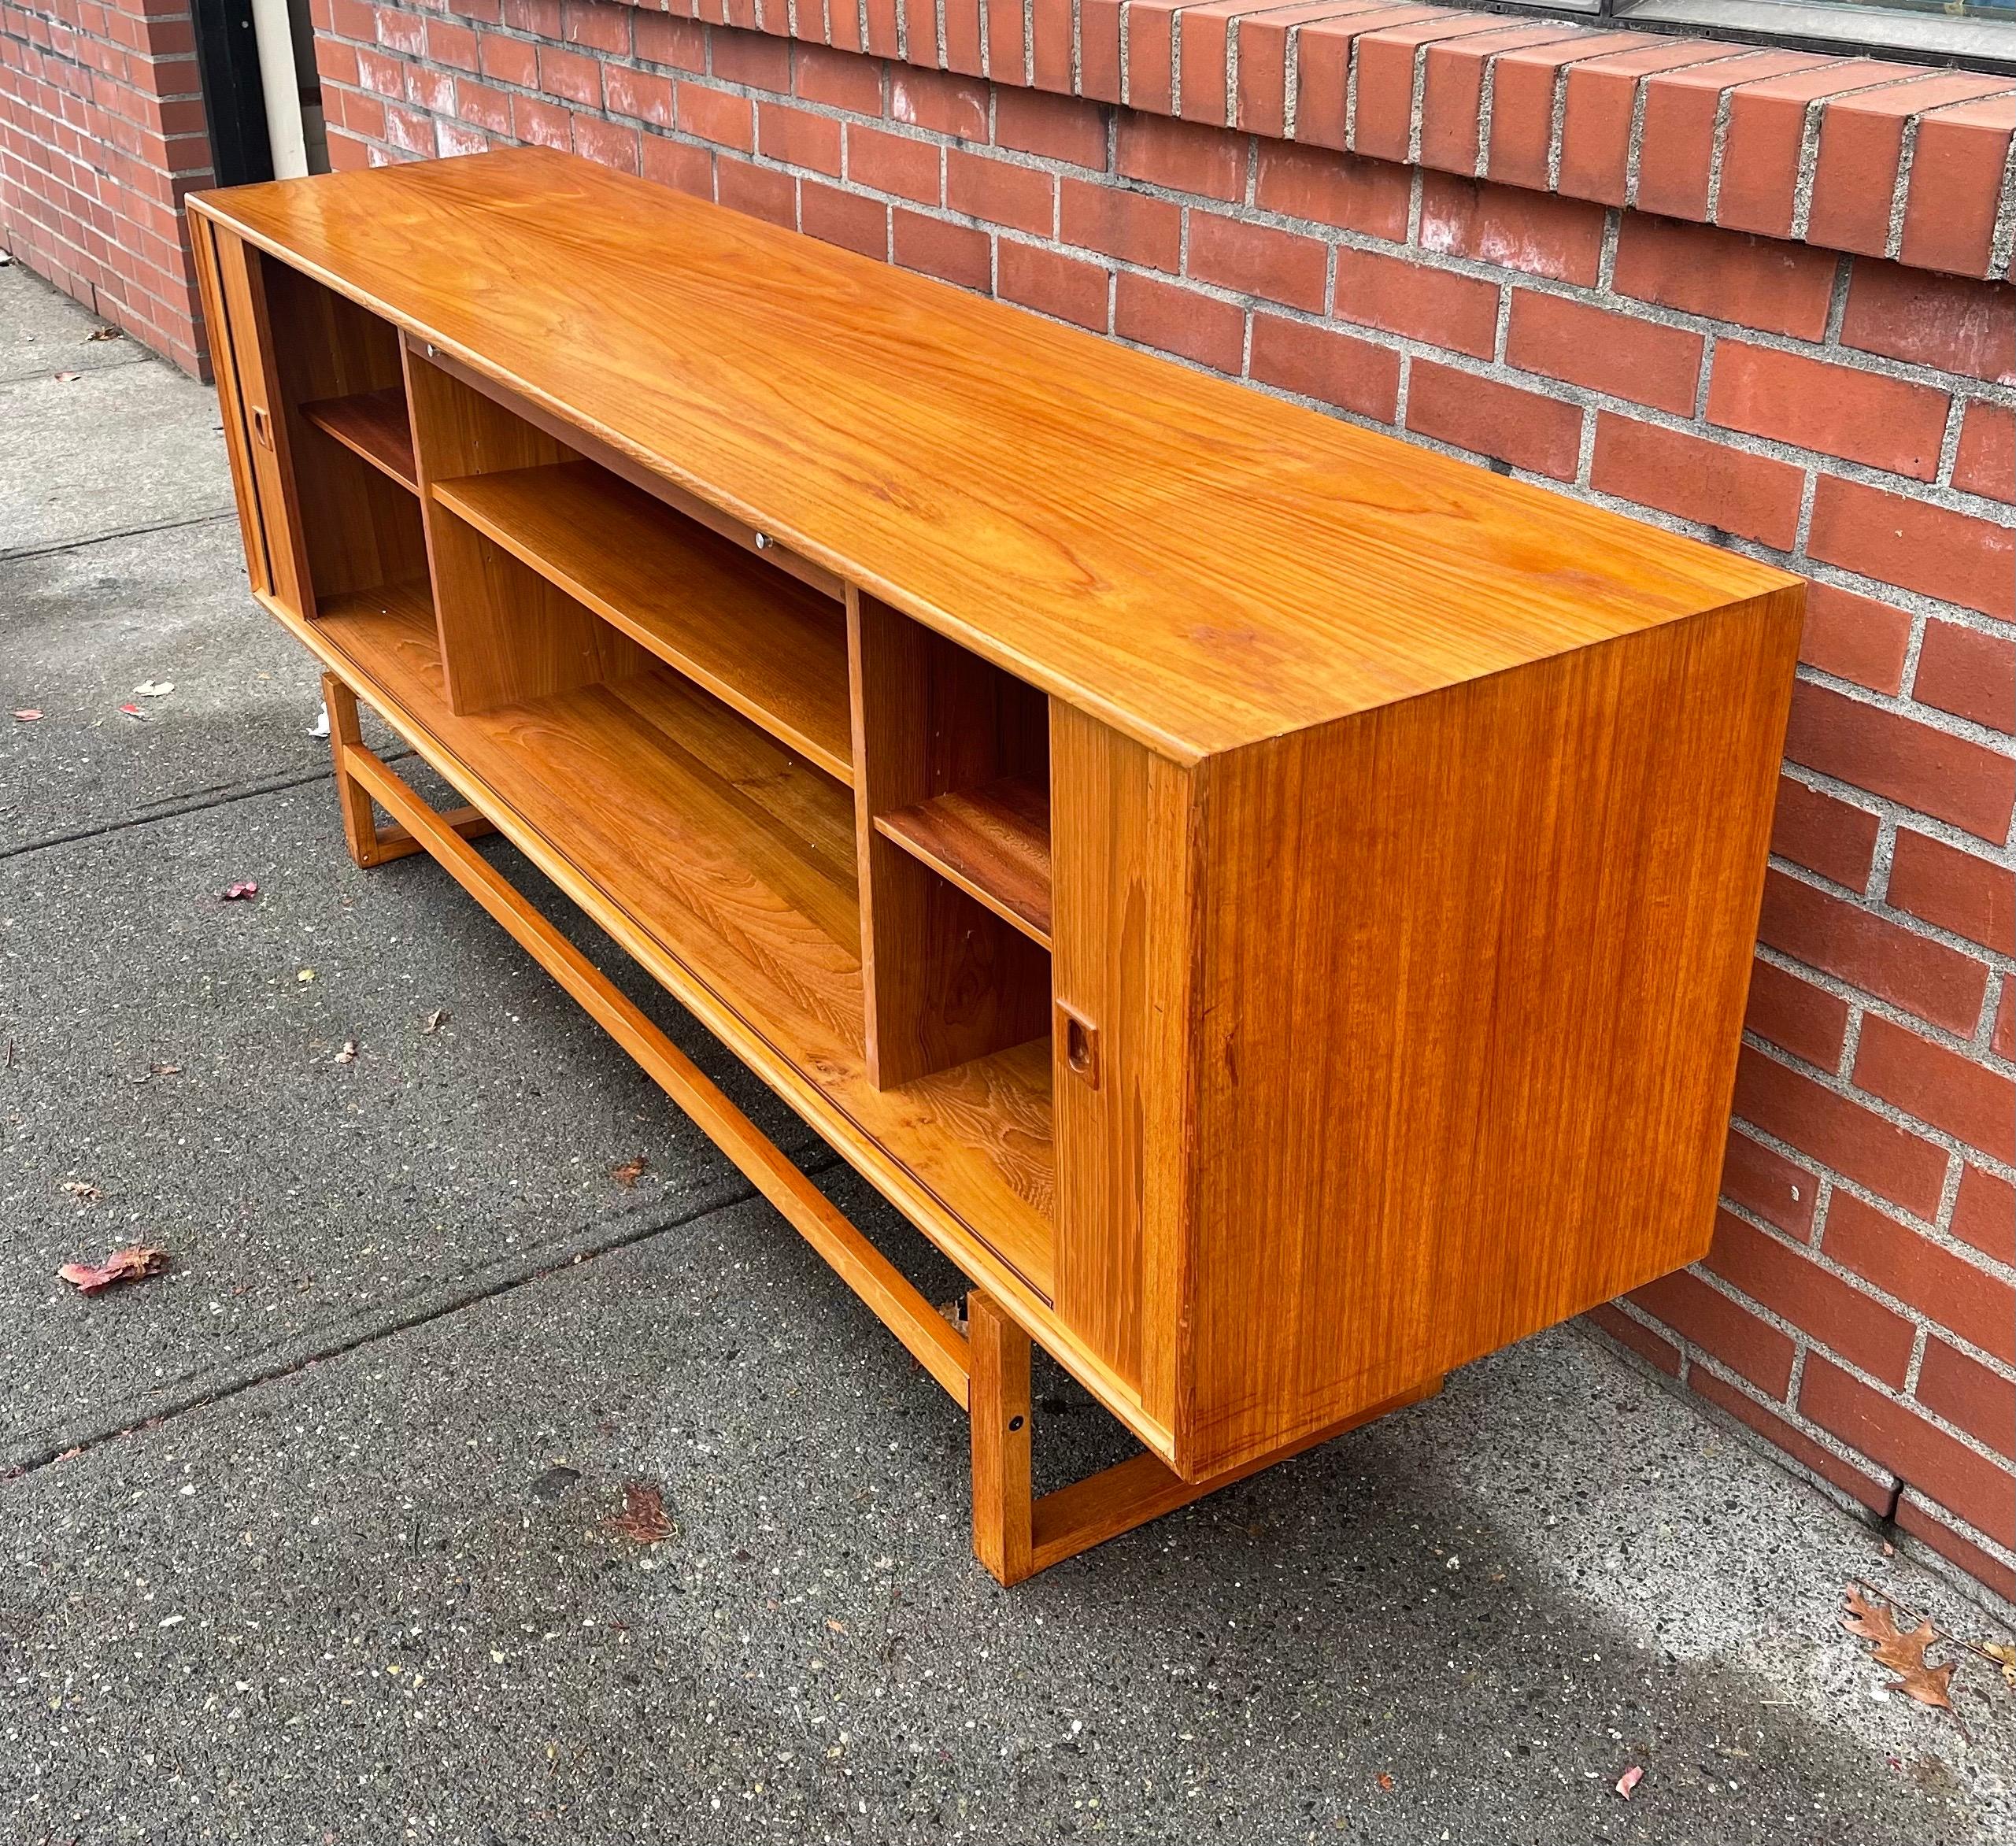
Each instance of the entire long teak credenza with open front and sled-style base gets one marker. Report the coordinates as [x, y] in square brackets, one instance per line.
[1271, 904]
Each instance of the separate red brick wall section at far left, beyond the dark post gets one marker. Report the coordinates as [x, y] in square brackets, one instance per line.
[102, 134]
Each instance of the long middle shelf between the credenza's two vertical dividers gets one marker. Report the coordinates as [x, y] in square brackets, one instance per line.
[751, 636]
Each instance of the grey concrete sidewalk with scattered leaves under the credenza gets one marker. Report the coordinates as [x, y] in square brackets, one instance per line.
[309, 1539]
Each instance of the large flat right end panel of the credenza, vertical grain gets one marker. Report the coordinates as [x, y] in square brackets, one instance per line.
[1473, 993]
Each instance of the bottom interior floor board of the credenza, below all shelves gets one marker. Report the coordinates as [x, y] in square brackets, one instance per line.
[686, 819]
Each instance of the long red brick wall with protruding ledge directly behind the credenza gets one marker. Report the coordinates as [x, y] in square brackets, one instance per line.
[1755, 366]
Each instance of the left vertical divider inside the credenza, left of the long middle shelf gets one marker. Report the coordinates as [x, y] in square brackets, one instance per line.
[507, 634]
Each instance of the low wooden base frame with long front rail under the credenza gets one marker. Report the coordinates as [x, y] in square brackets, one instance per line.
[987, 1369]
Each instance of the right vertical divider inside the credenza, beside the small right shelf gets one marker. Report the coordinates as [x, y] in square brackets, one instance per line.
[944, 978]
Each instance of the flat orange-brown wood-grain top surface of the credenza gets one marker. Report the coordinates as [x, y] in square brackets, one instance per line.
[1190, 561]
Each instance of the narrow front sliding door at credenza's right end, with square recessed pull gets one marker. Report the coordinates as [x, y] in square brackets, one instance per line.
[1122, 958]
